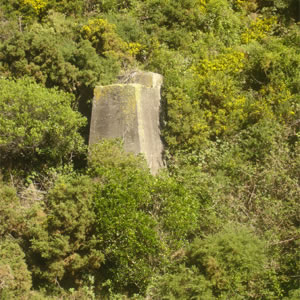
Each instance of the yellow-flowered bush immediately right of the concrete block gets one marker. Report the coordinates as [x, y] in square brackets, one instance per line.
[215, 107]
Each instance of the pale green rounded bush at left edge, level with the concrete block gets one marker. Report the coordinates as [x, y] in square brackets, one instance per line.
[38, 125]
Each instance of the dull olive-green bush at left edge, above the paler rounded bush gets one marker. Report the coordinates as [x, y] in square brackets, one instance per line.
[52, 59]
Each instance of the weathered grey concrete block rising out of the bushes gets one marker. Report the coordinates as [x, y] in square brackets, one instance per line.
[130, 111]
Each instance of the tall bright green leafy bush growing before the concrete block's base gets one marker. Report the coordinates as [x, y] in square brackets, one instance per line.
[125, 227]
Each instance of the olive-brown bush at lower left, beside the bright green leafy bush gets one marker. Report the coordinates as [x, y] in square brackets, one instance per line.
[63, 245]
